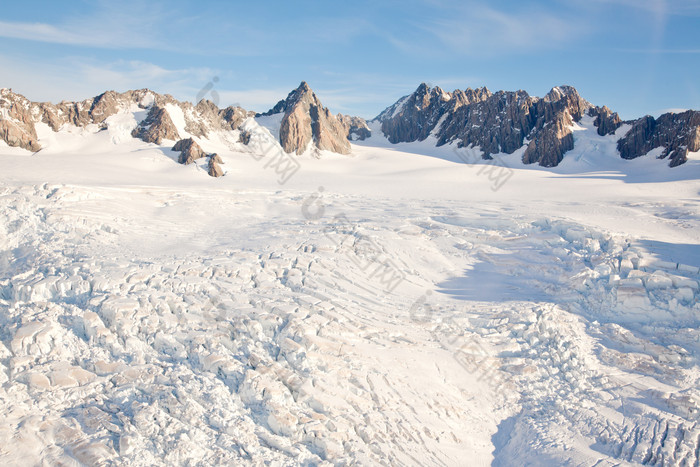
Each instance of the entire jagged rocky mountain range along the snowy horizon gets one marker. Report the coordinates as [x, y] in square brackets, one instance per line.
[501, 122]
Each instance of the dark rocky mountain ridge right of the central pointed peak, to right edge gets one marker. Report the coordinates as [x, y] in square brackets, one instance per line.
[504, 122]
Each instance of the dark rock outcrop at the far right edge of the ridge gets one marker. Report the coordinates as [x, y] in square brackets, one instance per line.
[677, 133]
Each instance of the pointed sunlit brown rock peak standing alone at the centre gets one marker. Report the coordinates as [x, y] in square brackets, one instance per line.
[306, 120]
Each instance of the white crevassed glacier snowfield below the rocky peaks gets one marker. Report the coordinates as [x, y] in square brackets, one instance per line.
[153, 315]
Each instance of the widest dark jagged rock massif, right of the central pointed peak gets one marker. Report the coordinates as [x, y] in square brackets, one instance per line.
[500, 122]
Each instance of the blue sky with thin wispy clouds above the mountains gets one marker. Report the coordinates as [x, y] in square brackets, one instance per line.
[635, 56]
